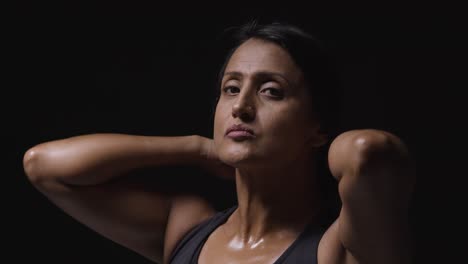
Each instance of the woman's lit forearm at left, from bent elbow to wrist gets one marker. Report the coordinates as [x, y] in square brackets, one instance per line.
[97, 158]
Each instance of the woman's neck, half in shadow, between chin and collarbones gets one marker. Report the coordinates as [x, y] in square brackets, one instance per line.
[274, 200]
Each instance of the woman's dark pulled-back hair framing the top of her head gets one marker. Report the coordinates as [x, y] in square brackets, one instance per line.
[317, 65]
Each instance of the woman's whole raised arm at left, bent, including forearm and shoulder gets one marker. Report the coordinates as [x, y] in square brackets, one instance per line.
[82, 176]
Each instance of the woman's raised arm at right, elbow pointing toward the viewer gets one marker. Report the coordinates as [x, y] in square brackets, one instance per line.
[375, 179]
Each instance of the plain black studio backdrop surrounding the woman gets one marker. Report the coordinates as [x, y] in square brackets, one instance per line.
[147, 70]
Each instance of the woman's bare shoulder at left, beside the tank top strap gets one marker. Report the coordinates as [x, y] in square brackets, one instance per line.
[186, 212]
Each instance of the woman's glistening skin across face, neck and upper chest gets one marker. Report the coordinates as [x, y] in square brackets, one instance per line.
[263, 89]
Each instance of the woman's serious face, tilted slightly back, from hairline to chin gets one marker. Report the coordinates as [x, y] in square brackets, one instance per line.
[263, 90]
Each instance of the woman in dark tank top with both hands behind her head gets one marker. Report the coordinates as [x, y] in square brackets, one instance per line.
[269, 126]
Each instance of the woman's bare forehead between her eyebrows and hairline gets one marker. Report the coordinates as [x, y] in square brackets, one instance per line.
[257, 55]
